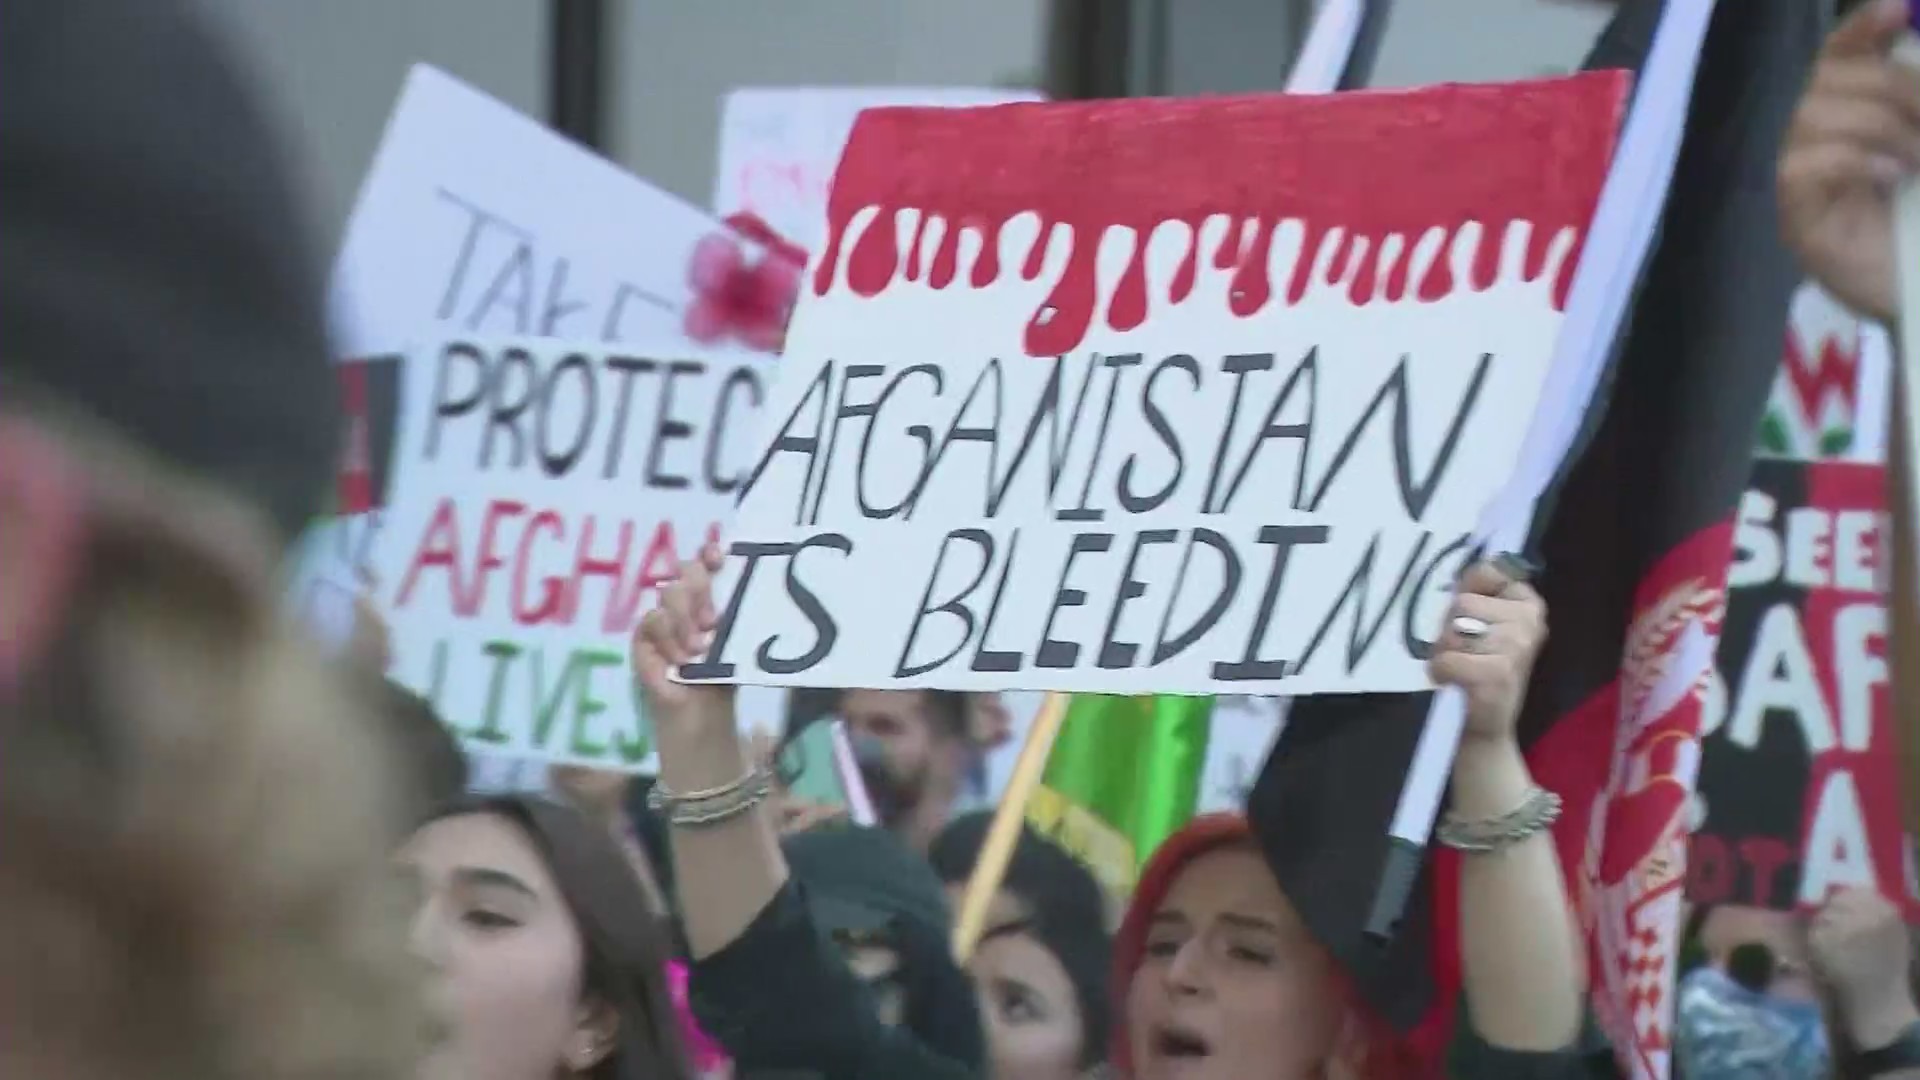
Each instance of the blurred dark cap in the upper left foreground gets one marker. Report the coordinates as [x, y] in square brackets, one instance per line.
[155, 264]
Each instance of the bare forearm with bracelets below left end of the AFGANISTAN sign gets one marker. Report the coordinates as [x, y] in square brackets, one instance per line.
[729, 871]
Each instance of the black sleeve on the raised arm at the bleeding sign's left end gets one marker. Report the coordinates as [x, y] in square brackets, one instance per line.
[780, 1000]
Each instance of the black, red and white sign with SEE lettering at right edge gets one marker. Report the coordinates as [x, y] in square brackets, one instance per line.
[1798, 781]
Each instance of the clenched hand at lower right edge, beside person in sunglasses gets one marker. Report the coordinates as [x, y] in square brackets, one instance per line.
[1861, 950]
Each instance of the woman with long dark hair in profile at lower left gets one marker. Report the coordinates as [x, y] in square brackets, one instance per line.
[542, 958]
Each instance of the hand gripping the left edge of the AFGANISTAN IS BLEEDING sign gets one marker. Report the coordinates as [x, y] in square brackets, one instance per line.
[675, 633]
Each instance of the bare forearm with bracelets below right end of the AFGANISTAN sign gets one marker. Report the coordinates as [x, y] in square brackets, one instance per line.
[1520, 950]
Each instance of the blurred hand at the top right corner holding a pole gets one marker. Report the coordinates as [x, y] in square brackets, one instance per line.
[1854, 137]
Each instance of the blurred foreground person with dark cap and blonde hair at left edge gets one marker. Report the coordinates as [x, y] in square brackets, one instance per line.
[195, 812]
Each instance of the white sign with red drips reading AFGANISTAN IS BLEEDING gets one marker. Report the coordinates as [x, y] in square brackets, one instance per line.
[1163, 395]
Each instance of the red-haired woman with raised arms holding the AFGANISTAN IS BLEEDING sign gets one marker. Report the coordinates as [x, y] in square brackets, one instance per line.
[1218, 977]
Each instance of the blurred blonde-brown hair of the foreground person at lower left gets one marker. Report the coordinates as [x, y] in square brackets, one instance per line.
[197, 818]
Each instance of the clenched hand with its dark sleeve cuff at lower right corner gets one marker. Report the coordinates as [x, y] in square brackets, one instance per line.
[1865, 960]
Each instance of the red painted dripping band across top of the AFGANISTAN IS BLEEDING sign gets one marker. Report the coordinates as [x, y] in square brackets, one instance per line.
[1368, 164]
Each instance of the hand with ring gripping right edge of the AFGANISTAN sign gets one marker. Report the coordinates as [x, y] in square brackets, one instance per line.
[1491, 666]
